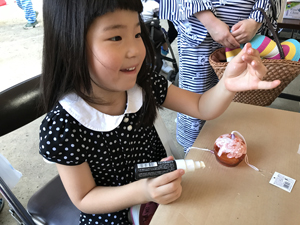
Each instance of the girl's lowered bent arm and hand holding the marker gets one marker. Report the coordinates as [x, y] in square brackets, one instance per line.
[89, 198]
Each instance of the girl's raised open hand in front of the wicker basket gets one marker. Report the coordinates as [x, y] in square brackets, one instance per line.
[245, 72]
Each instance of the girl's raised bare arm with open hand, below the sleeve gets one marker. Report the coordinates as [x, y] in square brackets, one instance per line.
[243, 73]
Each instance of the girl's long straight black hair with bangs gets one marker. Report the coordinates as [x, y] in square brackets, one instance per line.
[65, 65]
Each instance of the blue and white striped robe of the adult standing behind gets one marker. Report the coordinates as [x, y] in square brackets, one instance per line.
[195, 45]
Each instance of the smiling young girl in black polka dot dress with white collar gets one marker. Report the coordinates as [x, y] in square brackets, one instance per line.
[102, 97]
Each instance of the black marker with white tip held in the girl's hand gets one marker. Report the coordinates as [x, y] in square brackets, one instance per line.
[155, 169]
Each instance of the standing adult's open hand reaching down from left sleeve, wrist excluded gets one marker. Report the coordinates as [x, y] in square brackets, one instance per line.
[219, 31]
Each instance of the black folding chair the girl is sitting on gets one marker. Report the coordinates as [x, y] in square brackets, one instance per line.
[50, 205]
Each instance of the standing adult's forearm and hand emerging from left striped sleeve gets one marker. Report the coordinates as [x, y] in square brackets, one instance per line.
[218, 30]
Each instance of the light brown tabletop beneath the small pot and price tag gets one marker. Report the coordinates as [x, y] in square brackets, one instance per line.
[240, 195]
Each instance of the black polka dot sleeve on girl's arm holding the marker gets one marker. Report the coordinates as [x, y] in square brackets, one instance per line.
[61, 140]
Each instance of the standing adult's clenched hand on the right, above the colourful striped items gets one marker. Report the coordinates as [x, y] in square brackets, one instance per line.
[245, 30]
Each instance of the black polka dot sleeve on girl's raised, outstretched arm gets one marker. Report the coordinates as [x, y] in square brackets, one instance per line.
[159, 88]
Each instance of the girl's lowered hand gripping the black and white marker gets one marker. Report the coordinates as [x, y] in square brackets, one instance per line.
[165, 188]
